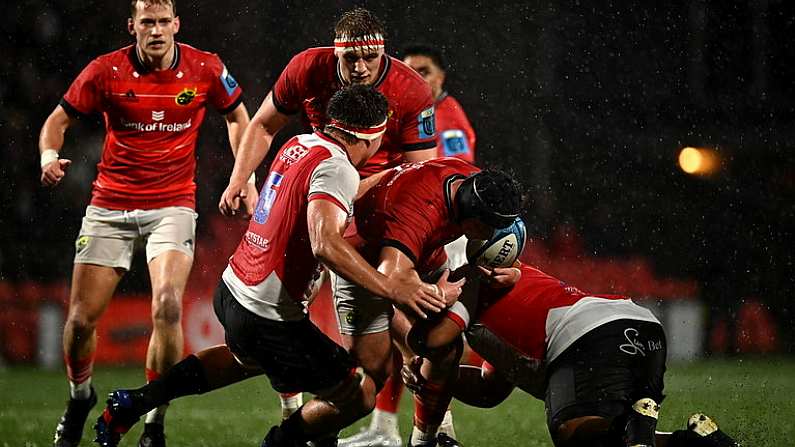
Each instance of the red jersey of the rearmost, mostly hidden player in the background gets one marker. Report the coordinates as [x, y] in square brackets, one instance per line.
[455, 136]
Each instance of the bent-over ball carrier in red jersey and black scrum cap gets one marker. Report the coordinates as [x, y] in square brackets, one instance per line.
[403, 224]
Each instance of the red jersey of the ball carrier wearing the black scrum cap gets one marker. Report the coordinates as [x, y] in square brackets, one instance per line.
[411, 209]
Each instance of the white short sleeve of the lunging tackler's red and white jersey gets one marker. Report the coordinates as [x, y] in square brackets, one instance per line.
[336, 180]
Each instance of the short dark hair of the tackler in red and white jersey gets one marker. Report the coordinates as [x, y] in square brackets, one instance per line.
[358, 106]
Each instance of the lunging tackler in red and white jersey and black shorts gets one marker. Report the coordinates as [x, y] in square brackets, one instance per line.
[261, 301]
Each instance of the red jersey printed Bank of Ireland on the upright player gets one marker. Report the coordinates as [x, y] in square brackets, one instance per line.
[152, 120]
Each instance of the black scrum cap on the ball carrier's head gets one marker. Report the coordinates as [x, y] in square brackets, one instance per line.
[493, 197]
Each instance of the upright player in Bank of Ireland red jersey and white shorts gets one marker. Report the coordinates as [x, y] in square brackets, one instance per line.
[153, 96]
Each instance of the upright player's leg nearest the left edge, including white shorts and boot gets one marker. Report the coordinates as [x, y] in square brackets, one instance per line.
[104, 250]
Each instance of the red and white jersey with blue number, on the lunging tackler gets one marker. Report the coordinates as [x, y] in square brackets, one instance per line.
[274, 265]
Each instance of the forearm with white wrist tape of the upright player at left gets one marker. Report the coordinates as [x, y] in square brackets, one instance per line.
[51, 141]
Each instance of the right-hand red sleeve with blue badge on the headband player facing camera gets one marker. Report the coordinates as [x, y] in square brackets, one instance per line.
[418, 130]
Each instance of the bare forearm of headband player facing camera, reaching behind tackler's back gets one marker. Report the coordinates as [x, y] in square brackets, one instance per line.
[254, 146]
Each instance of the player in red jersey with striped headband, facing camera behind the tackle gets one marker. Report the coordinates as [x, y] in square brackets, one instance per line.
[312, 76]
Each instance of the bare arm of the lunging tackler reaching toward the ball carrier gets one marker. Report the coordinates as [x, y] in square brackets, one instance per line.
[326, 223]
